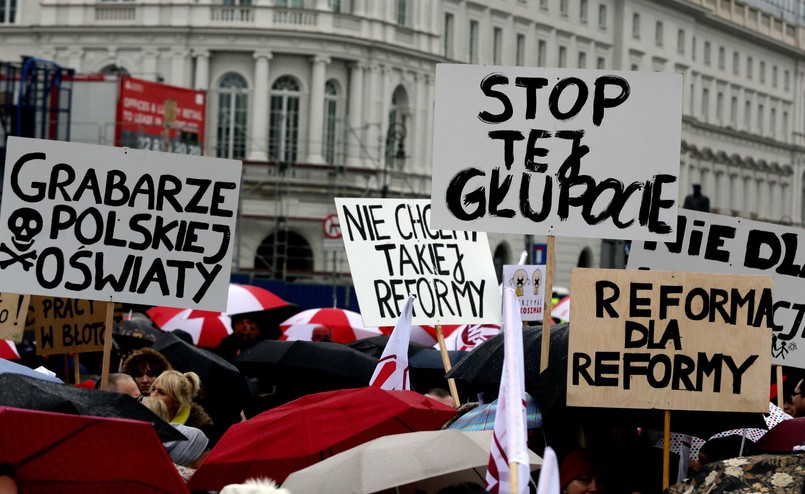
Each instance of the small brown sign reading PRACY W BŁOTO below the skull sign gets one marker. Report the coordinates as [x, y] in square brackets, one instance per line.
[66, 325]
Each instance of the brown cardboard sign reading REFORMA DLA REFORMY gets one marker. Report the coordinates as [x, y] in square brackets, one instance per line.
[669, 340]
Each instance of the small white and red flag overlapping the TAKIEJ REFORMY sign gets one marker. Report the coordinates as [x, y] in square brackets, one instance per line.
[392, 370]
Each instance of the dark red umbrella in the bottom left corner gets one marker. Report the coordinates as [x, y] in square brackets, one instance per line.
[55, 452]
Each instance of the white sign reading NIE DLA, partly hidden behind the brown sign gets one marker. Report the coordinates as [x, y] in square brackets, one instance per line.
[713, 243]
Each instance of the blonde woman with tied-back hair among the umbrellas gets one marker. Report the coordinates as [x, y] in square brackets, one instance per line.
[177, 391]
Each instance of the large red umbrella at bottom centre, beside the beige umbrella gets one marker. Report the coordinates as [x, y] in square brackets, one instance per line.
[300, 433]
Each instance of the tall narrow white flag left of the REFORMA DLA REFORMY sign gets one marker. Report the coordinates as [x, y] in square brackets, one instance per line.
[510, 440]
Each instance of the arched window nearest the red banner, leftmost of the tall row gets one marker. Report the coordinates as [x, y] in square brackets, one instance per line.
[233, 104]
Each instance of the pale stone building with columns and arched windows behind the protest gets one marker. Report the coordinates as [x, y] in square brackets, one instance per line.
[328, 98]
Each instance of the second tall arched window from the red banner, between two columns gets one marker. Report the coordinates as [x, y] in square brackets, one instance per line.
[283, 131]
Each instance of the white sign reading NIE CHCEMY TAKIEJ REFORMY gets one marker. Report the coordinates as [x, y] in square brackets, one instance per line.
[393, 251]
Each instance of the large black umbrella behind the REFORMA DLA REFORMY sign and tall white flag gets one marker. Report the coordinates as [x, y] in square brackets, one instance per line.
[549, 389]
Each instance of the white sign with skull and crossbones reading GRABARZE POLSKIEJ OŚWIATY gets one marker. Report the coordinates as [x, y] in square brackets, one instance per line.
[117, 224]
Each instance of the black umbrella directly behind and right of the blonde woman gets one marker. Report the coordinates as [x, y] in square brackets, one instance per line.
[225, 391]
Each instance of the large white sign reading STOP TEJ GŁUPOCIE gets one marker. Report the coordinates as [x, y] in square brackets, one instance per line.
[556, 151]
